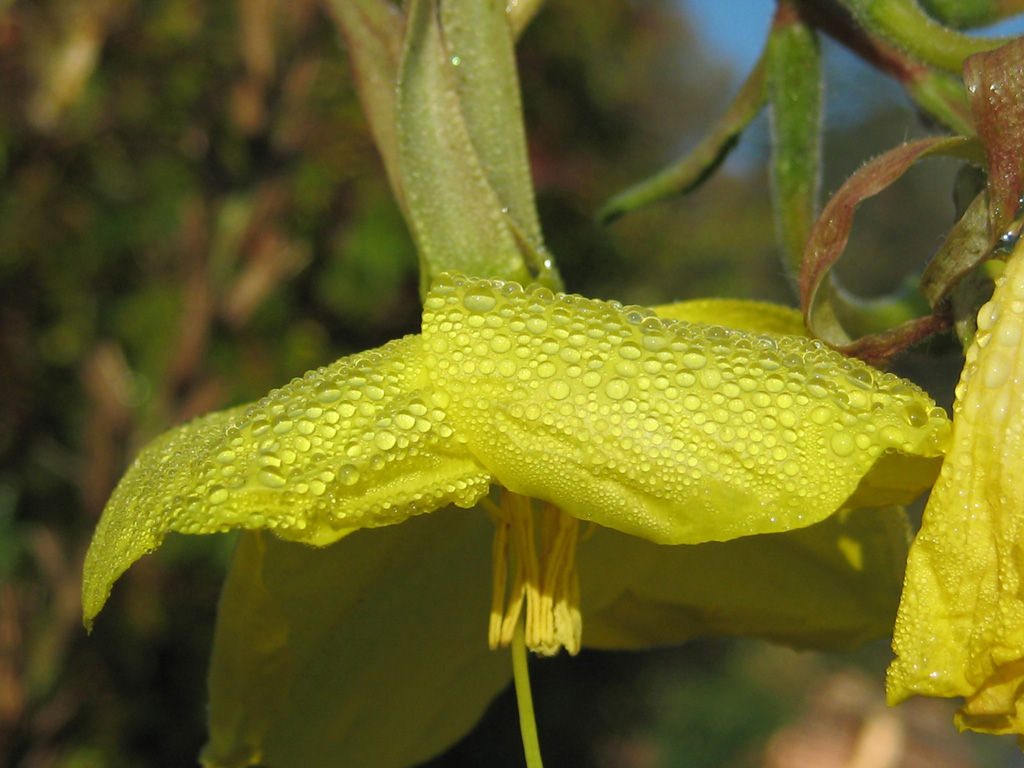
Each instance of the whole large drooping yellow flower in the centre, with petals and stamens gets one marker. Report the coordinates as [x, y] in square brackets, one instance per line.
[660, 432]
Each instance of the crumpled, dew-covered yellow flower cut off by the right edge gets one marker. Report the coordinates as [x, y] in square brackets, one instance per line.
[961, 626]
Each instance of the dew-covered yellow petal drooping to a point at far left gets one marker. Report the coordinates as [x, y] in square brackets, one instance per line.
[356, 445]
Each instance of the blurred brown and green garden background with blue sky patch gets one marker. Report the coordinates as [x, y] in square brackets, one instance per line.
[192, 212]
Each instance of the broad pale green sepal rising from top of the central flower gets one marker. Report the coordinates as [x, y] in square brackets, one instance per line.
[462, 159]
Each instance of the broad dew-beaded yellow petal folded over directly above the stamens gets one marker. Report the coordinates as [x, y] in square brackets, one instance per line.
[676, 433]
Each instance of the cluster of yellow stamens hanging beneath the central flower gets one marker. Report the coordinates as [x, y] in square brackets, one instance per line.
[548, 584]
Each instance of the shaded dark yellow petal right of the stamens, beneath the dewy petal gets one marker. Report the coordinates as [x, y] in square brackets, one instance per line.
[834, 585]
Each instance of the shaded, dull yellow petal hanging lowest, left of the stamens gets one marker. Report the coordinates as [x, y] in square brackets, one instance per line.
[387, 647]
